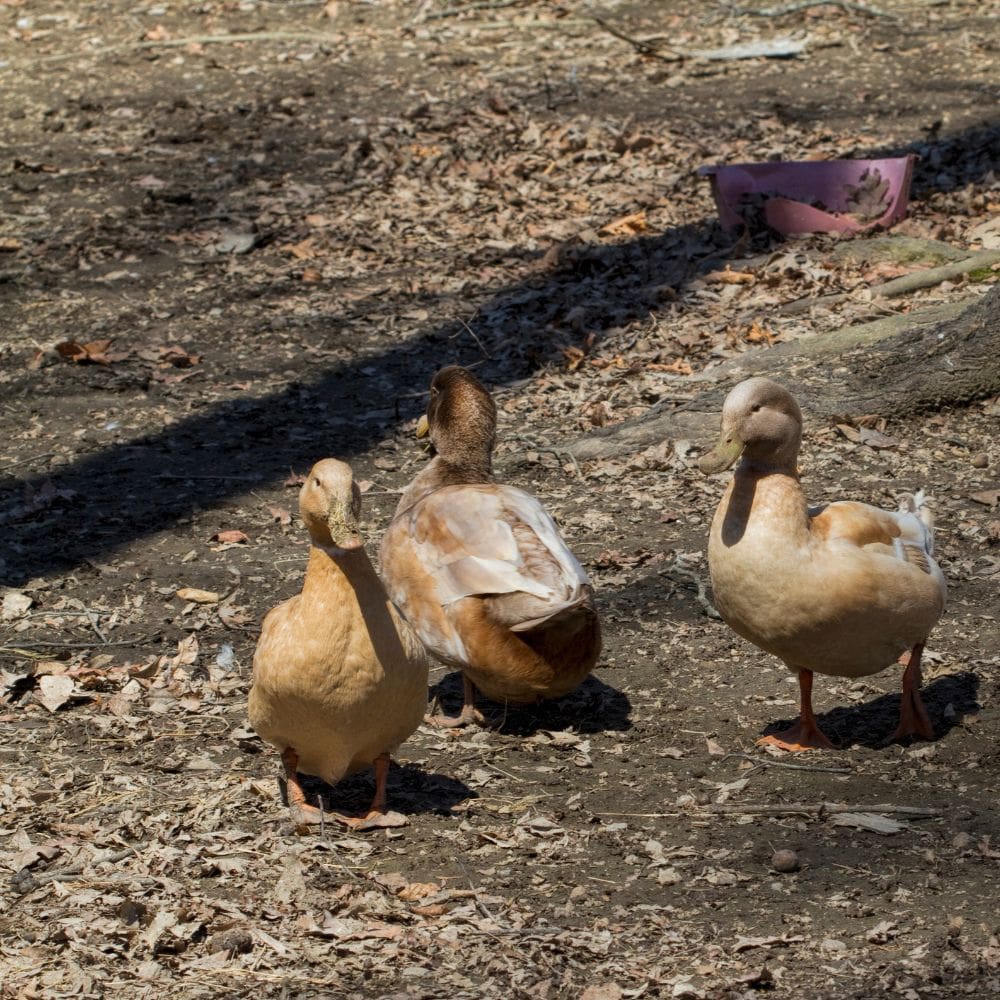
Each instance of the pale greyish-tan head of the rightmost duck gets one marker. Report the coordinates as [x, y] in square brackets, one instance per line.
[762, 423]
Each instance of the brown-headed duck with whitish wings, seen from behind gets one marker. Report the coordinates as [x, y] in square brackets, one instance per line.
[479, 568]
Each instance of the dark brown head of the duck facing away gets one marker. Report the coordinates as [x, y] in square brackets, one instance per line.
[461, 419]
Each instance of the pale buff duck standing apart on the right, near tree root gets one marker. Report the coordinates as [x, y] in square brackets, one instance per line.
[843, 589]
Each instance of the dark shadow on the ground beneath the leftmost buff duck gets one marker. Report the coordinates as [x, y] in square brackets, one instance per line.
[410, 790]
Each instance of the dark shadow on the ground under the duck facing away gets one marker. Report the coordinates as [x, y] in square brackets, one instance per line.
[594, 707]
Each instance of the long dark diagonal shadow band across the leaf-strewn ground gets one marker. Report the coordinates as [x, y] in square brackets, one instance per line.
[127, 491]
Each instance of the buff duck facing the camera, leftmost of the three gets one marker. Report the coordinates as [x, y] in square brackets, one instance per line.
[339, 678]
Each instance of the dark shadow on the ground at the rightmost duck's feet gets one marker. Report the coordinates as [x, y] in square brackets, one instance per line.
[947, 699]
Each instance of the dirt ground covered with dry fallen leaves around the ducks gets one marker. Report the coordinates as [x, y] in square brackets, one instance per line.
[224, 258]
